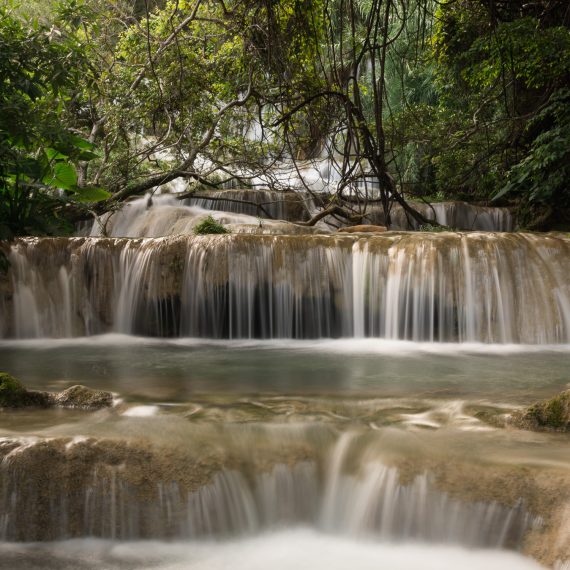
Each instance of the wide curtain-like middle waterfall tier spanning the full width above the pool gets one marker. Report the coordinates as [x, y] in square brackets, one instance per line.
[439, 287]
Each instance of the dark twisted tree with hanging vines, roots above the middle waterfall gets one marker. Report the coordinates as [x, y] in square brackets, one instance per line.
[354, 56]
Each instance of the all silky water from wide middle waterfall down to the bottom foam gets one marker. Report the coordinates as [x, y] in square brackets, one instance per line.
[287, 401]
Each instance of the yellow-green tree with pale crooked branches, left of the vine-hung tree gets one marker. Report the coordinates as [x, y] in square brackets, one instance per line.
[191, 72]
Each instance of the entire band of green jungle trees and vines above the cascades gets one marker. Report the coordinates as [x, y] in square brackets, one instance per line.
[102, 100]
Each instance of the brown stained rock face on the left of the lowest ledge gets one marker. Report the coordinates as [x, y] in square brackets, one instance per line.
[75, 482]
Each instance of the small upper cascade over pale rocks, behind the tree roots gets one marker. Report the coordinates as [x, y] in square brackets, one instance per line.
[266, 212]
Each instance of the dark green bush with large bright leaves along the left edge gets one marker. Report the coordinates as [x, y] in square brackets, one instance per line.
[38, 153]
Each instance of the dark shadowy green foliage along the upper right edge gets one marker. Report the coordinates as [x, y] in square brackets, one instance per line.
[498, 126]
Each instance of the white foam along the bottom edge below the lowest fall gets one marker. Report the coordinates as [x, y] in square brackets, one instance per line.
[301, 549]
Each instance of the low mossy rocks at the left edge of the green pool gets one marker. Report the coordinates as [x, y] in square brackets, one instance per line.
[13, 394]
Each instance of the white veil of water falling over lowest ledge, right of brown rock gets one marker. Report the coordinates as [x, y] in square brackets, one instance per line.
[372, 502]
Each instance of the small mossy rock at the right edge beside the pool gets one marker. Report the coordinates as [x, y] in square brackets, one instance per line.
[548, 415]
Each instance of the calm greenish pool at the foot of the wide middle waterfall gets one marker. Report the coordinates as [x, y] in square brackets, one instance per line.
[161, 370]
